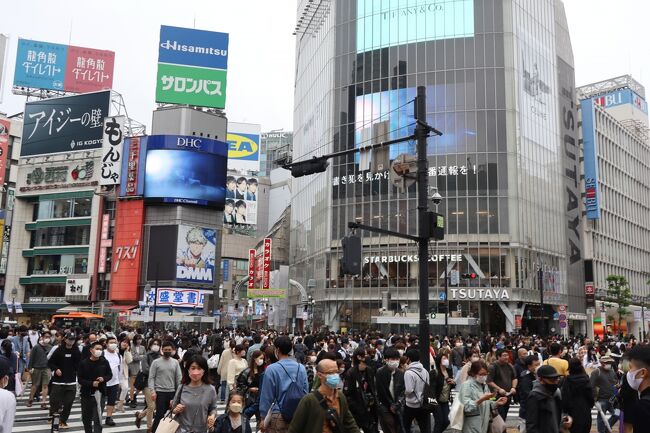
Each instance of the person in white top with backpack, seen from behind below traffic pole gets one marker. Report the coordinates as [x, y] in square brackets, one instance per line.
[415, 379]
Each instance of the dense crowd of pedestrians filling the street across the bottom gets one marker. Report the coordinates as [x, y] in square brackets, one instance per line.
[326, 382]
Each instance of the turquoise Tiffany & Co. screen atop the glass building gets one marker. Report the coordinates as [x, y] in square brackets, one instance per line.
[386, 24]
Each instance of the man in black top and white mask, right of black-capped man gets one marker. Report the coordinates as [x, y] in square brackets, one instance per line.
[93, 374]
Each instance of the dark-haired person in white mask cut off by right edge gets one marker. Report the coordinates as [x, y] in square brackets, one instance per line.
[638, 378]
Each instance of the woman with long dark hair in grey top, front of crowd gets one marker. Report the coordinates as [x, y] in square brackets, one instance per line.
[195, 402]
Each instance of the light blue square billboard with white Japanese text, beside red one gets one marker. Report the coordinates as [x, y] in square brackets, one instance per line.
[40, 65]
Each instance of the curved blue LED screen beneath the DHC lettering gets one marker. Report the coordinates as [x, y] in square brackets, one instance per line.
[185, 177]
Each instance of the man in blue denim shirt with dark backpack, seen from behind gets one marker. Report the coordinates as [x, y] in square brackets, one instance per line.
[285, 383]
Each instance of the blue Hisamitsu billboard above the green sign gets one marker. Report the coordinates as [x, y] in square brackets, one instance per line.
[191, 47]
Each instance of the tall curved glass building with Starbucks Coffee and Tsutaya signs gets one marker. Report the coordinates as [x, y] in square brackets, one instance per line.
[500, 86]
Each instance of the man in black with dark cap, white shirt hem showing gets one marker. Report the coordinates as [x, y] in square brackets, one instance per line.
[64, 362]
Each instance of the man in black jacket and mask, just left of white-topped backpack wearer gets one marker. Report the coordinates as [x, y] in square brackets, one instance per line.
[390, 393]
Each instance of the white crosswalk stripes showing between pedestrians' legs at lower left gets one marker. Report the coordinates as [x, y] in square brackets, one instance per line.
[34, 419]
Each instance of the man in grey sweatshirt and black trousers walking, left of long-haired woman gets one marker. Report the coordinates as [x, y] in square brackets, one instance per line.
[164, 379]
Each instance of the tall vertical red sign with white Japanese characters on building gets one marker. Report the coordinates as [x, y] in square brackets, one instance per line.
[127, 244]
